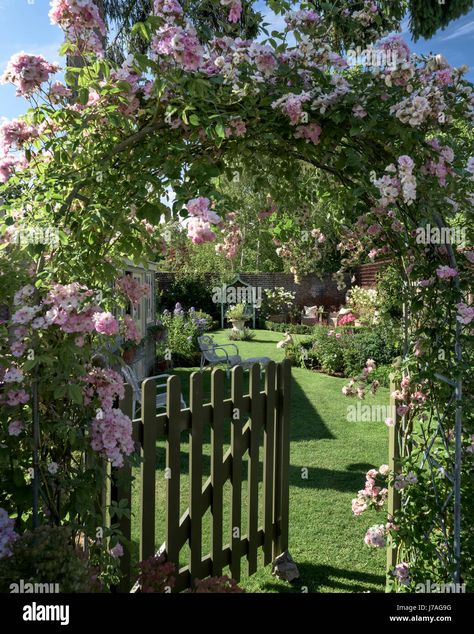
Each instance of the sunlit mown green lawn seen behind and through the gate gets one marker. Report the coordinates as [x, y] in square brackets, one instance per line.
[326, 540]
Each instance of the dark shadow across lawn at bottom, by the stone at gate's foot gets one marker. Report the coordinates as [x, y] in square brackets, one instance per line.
[313, 577]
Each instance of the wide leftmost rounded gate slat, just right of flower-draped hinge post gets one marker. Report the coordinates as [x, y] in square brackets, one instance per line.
[148, 469]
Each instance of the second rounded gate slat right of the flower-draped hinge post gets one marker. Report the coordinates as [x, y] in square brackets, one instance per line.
[173, 464]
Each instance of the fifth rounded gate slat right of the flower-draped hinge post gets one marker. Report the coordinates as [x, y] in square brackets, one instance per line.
[236, 448]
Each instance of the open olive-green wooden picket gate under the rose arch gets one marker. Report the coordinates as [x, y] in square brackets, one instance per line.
[264, 411]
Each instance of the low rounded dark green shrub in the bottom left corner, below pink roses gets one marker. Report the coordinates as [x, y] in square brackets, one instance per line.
[46, 555]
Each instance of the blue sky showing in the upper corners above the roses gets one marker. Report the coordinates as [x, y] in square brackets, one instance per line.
[24, 26]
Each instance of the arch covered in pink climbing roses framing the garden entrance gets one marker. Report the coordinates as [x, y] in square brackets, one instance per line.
[94, 159]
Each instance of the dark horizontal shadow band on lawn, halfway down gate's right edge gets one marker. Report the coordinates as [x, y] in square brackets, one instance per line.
[346, 481]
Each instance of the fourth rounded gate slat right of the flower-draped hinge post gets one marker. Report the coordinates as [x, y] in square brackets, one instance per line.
[217, 468]
